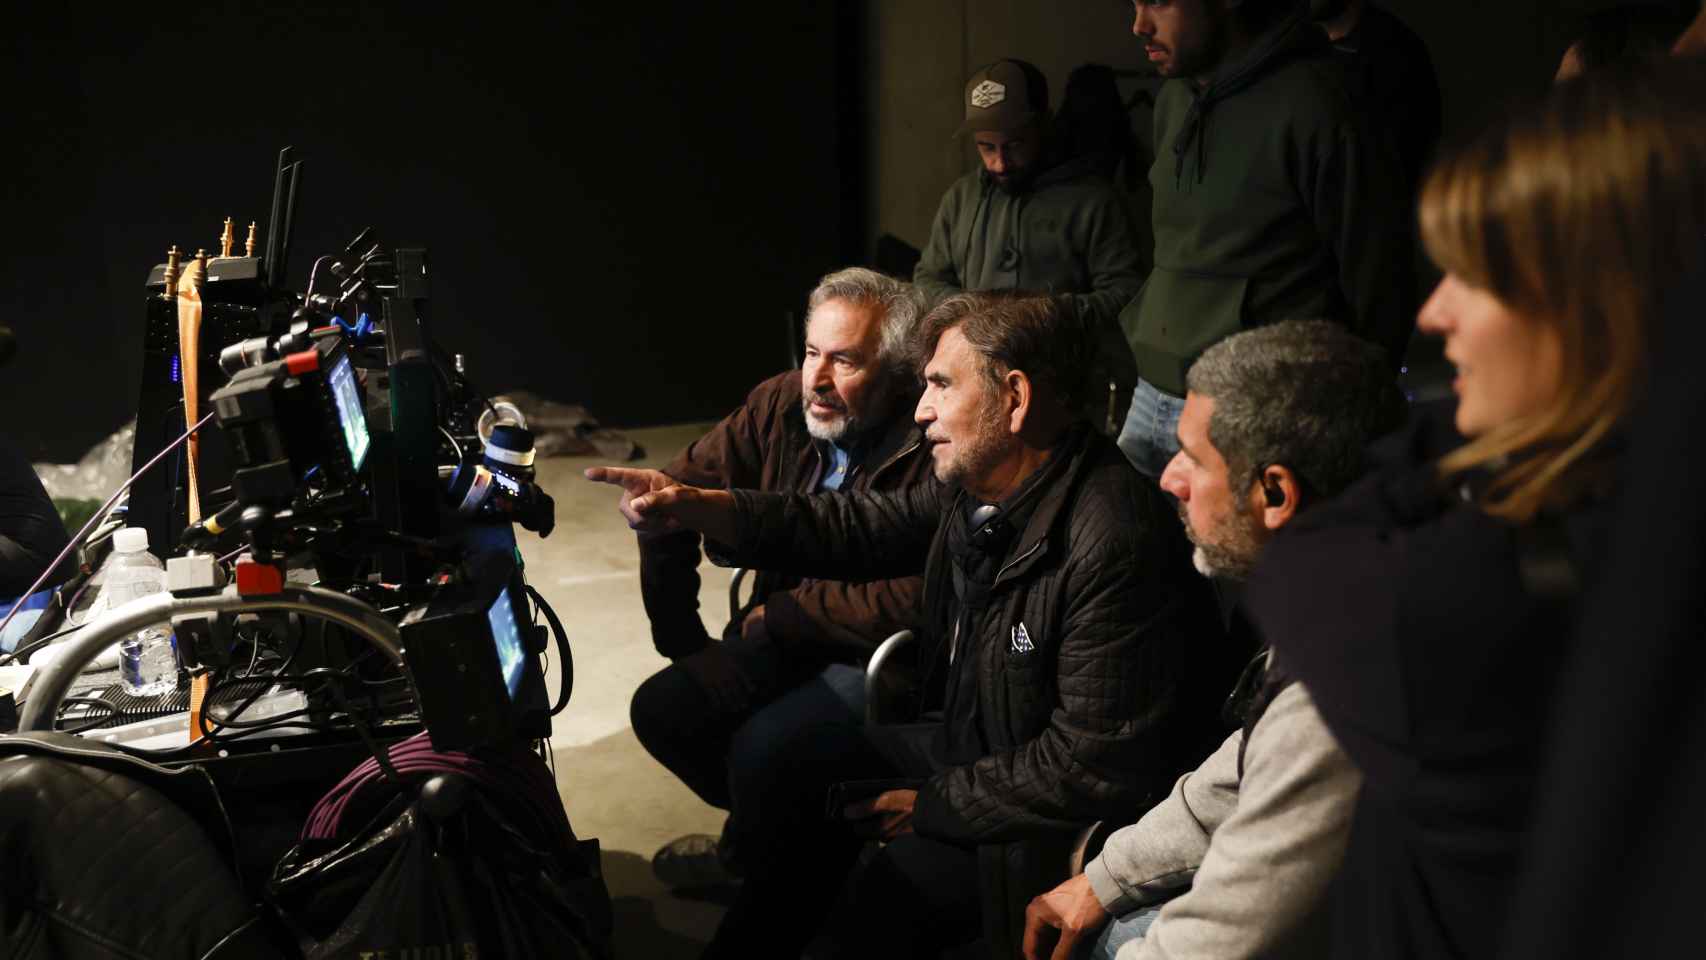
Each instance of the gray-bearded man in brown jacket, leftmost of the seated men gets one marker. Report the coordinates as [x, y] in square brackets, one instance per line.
[796, 654]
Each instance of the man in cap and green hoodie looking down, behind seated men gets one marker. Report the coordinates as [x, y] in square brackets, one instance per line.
[1035, 221]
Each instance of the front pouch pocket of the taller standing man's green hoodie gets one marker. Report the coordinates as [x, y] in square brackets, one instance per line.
[1176, 318]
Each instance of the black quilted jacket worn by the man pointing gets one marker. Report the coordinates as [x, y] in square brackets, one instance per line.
[1117, 693]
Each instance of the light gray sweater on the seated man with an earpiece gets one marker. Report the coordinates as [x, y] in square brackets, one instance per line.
[1241, 865]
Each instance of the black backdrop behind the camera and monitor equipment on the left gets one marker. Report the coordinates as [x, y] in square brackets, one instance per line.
[620, 202]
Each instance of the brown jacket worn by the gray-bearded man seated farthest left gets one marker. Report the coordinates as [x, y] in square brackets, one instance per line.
[765, 446]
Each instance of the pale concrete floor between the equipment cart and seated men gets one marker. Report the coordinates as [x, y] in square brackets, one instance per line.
[613, 790]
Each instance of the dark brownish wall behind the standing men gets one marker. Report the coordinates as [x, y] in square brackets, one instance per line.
[920, 54]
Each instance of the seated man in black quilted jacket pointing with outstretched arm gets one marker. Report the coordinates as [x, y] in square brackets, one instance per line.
[1062, 616]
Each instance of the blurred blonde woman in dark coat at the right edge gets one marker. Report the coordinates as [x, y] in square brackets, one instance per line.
[1430, 606]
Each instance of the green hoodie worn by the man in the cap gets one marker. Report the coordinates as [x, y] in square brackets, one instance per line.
[1069, 233]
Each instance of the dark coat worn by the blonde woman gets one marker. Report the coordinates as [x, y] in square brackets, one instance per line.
[1430, 635]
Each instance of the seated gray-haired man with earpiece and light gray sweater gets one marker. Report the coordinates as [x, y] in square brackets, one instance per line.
[1234, 862]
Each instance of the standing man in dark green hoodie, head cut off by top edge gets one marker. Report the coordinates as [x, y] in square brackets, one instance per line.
[1272, 200]
